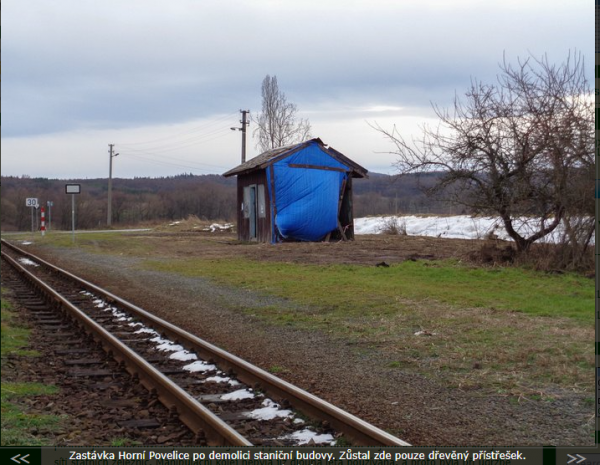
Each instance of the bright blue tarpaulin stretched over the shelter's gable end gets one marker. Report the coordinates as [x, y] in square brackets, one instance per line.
[307, 188]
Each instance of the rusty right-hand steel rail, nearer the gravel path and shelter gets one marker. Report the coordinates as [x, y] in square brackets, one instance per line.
[361, 432]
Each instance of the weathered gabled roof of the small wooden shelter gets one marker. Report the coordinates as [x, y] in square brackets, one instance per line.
[271, 156]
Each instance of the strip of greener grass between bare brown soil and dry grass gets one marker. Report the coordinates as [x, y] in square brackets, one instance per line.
[379, 290]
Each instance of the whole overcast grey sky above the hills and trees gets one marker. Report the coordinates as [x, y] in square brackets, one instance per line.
[164, 81]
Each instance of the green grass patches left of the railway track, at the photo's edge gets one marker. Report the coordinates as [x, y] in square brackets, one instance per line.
[18, 426]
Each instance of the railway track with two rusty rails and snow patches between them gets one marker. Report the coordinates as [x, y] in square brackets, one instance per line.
[221, 398]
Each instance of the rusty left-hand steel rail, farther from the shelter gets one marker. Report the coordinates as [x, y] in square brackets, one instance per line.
[191, 412]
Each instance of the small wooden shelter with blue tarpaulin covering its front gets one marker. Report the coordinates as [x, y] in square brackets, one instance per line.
[302, 192]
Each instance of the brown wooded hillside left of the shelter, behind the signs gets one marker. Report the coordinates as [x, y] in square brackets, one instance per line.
[135, 201]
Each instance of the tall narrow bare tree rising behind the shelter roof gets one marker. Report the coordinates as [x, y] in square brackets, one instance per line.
[277, 124]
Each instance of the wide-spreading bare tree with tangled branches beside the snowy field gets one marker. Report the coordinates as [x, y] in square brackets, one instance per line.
[515, 148]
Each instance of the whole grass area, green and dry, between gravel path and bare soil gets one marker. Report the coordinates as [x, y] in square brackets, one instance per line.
[502, 330]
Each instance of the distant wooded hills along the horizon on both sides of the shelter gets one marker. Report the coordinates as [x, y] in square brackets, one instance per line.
[210, 197]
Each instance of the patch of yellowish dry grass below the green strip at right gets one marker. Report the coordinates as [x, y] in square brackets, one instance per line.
[508, 353]
